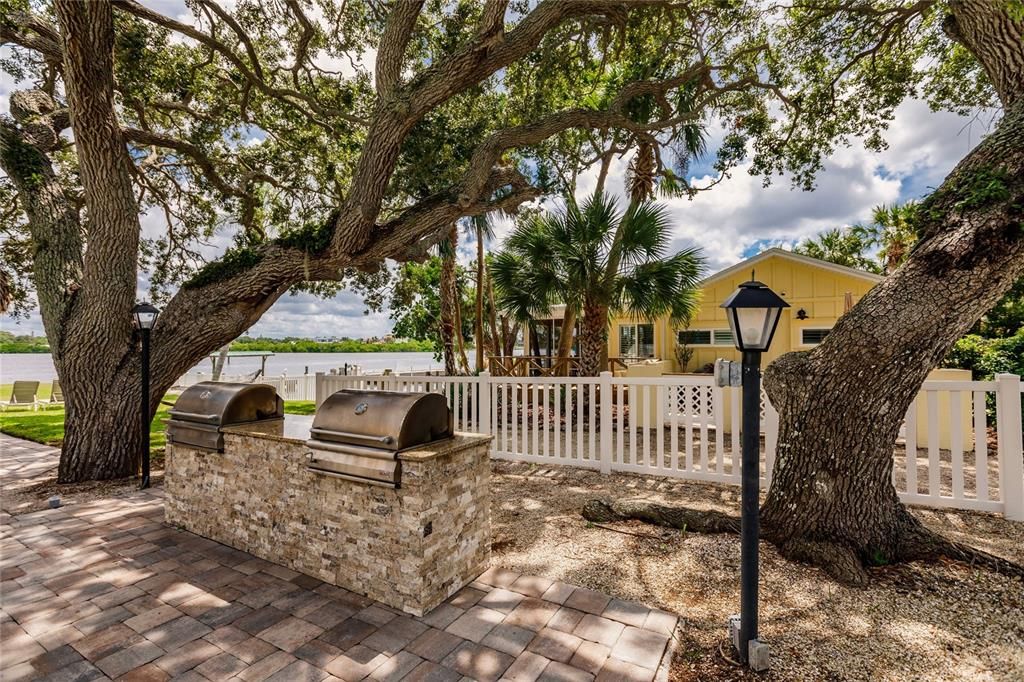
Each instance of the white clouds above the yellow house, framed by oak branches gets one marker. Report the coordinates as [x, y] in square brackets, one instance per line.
[740, 212]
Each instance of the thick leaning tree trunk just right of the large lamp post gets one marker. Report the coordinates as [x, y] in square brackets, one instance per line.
[841, 406]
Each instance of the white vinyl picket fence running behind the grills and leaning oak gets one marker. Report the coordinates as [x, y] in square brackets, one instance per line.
[681, 427]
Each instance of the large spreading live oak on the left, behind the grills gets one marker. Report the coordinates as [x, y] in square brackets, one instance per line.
[324, 140]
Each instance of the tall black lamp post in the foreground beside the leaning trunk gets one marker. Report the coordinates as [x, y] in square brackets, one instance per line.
[754, 311]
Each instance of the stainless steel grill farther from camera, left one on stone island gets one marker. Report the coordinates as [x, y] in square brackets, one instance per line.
[204, 410]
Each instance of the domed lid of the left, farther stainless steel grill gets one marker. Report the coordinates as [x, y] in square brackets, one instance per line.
[220, 404]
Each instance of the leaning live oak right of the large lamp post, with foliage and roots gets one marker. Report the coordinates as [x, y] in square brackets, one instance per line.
[832, 501]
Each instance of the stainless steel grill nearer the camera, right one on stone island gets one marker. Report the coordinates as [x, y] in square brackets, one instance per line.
[358, 435]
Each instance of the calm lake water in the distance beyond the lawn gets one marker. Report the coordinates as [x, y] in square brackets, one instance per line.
[40, 367]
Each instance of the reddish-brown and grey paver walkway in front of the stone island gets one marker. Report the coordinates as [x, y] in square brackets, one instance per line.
[105, 589]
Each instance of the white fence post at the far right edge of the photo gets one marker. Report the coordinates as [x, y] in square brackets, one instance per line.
[1008, 423]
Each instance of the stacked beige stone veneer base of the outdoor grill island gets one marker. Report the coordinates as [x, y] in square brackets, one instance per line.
[410, 548]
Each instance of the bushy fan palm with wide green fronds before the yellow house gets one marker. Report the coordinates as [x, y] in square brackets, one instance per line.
[599, 262]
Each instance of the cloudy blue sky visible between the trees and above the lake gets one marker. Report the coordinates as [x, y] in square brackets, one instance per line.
[735, 221]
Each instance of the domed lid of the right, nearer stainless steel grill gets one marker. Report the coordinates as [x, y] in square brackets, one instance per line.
[381, 420]
